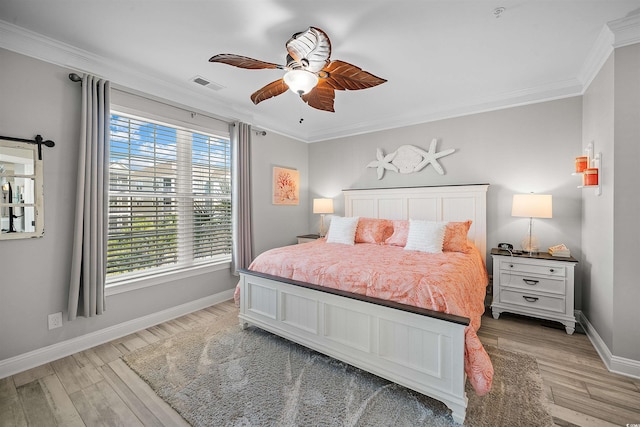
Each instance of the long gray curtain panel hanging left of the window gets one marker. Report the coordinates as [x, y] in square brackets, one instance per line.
[89, 257]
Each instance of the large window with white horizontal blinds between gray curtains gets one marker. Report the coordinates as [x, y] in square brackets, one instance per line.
[169, 197]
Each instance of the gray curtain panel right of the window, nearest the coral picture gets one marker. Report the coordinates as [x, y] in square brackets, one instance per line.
[241, 196]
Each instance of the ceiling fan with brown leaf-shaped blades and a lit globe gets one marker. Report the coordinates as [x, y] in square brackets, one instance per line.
[310, 73]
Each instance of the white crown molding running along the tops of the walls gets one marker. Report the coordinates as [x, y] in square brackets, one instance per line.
[615, 34]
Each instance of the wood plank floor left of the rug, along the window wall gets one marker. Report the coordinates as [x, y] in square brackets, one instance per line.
[95, 387]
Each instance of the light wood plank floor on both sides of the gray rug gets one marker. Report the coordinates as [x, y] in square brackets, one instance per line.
[95, 388]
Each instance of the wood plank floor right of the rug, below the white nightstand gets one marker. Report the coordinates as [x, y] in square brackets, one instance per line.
[580, 389]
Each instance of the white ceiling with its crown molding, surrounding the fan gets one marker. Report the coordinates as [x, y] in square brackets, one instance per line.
[441, 58]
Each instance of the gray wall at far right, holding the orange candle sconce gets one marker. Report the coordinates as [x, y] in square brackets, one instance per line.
[611, 237]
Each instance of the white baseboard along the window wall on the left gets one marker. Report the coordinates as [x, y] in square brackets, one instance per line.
[56, 351]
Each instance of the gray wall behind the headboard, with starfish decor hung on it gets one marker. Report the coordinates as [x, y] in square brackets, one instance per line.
[516, 150]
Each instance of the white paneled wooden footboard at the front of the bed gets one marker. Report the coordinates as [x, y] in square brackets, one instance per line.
[416, 348]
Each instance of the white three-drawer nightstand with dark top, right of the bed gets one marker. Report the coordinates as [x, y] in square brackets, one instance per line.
[539, 285]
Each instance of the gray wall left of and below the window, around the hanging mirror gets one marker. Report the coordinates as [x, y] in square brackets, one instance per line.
[38, 98]
